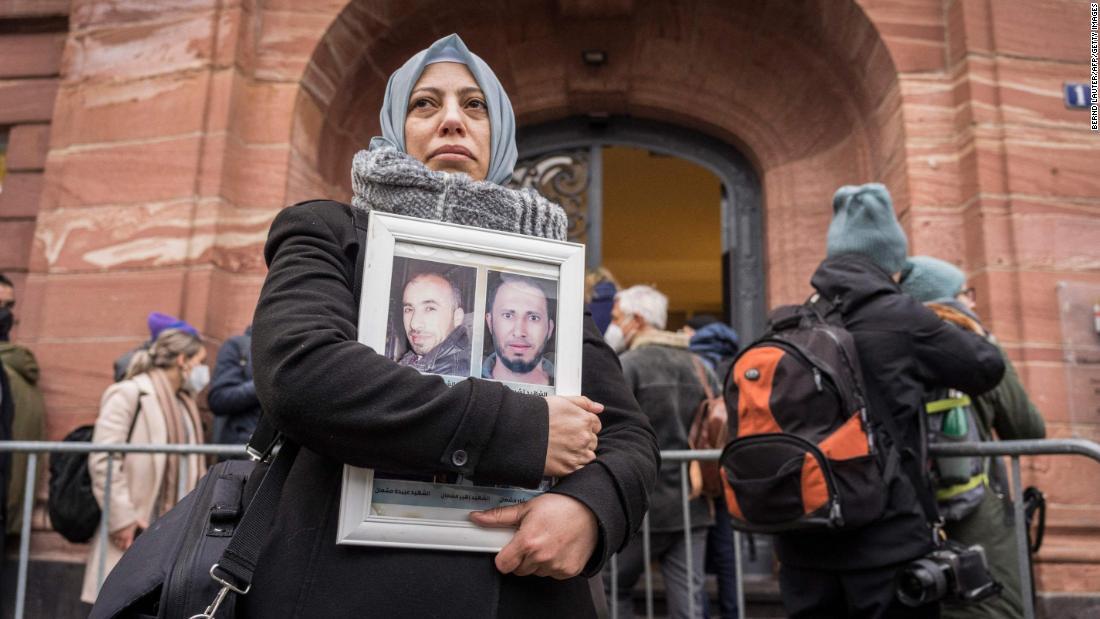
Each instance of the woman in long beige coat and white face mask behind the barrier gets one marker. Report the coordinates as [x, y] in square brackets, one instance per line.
[158, 402]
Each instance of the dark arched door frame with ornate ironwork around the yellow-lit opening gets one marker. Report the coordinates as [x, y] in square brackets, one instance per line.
[575, 150]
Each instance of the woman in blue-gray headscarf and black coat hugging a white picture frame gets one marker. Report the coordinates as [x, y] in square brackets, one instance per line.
[448, 141]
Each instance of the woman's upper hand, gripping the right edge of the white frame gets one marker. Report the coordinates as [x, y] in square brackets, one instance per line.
[575, 424]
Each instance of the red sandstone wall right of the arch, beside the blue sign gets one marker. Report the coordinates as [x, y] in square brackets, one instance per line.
[1005, 182]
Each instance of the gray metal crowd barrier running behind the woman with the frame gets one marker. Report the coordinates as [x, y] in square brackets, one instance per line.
[1013, 449]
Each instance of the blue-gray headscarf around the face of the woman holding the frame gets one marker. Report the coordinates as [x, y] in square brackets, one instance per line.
[502, 120]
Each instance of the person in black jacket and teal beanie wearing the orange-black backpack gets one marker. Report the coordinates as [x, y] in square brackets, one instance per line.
[904, 350]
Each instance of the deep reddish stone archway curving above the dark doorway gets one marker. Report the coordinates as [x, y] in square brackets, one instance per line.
[809, 93]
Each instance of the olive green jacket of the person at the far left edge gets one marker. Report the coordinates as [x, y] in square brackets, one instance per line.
[29, 424]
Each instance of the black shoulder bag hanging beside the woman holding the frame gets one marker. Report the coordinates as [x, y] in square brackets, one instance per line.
[196, 559]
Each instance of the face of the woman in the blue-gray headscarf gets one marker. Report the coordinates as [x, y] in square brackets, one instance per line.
[447, 126]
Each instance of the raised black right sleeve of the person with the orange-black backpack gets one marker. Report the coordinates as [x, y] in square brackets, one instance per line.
[951, 357]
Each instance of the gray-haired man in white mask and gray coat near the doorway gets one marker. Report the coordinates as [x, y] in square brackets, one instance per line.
[661, 372]
